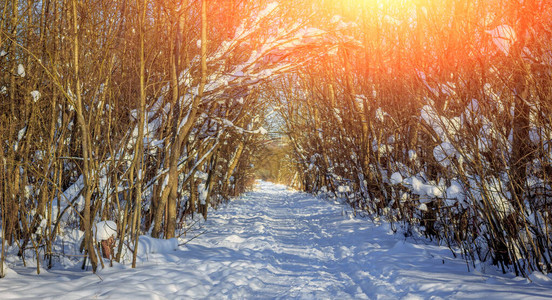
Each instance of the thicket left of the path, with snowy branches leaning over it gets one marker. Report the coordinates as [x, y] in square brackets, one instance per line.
[142, 113]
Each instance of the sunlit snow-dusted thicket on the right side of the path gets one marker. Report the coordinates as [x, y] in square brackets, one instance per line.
[436, 115]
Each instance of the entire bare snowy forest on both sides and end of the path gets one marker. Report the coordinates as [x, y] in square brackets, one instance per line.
[138, 117]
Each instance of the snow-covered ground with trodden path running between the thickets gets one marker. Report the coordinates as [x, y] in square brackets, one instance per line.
[276, 243]
